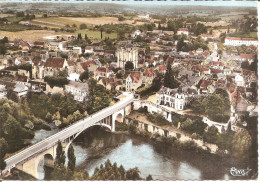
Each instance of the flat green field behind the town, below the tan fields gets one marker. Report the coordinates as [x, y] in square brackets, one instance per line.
[96, 34]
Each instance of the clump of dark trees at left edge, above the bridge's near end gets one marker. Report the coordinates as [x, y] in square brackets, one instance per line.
[16, 124]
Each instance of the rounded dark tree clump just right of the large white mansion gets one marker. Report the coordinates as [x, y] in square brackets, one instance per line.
[216, 106]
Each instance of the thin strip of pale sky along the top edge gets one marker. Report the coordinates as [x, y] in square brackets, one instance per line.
[168, 2]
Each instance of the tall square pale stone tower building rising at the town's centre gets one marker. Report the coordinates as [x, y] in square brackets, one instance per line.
[127, 53]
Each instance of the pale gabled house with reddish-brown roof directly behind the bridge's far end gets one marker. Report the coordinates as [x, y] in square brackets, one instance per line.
[133, 80]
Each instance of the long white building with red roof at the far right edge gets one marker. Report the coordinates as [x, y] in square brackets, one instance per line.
[234, 41]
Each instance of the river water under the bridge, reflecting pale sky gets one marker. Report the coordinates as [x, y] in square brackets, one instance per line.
[95, 146]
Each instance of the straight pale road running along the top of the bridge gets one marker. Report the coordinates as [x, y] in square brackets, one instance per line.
[71, 130]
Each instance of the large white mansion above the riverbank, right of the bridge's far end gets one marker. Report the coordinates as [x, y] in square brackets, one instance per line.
[176, 98]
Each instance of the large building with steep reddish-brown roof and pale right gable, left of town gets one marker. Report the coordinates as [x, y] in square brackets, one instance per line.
[54, 65]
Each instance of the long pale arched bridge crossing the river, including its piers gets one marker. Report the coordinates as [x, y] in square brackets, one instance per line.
[29, 159]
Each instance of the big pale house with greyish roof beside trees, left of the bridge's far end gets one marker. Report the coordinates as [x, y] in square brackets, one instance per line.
[79, 90]
